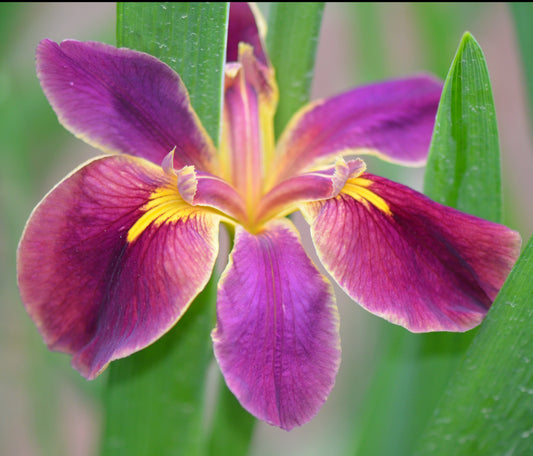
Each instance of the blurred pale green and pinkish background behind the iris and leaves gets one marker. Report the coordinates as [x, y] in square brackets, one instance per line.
[46, 408]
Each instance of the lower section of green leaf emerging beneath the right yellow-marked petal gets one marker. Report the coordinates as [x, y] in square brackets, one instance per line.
[410, 377]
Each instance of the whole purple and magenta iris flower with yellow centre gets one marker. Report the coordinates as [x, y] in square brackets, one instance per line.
[115, 253]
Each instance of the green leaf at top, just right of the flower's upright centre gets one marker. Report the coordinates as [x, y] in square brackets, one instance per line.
[292, 39]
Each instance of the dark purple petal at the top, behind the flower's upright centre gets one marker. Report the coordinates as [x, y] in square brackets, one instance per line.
[246, 25]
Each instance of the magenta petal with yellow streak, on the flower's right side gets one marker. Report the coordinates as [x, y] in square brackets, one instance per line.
[408, 259]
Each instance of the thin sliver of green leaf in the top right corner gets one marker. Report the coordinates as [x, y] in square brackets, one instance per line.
[523, 18]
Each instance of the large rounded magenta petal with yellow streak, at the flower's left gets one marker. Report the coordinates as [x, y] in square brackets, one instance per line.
[111, 258]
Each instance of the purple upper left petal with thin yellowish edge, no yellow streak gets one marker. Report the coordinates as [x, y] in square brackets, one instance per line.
[120, 100]
